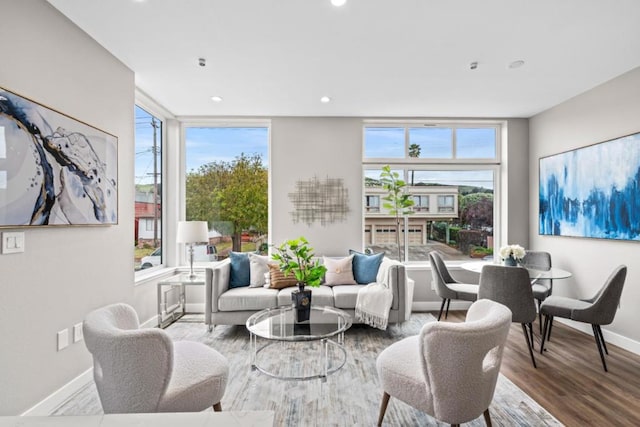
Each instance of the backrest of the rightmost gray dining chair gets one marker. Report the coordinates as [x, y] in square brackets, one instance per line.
[604, 304]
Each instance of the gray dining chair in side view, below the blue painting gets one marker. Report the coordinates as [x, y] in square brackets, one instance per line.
[597, 311]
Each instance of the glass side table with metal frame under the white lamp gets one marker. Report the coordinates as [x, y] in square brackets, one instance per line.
[172, 296]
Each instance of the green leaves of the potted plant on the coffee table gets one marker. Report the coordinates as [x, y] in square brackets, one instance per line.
[296, 256]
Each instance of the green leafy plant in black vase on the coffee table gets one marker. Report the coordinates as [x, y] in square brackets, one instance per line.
[296, 257]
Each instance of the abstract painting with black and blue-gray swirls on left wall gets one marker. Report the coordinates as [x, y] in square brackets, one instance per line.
[54, 170]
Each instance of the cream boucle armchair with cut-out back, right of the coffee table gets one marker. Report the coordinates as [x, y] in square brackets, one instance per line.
[450, 370]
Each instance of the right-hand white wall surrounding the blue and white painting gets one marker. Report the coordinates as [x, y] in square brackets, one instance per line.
[608, 111]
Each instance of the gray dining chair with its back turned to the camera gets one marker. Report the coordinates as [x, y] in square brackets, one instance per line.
[511, 286]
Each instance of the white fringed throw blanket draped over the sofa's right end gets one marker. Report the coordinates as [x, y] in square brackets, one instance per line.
[374, 300]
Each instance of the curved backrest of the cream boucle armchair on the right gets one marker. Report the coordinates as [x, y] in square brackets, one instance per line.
[461, 361]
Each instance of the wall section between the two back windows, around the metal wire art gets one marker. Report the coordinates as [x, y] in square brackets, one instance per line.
[304, 148]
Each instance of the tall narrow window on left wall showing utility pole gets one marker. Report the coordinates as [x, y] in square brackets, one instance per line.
[148, 190]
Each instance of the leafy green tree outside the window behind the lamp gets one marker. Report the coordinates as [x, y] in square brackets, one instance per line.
[231, 196]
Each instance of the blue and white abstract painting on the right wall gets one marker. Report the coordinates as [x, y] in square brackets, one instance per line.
[592, 191]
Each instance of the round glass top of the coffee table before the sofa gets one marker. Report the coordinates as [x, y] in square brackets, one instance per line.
[279, 324]
